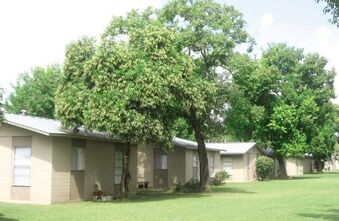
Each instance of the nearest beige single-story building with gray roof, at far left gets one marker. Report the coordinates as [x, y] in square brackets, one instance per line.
[42, 163]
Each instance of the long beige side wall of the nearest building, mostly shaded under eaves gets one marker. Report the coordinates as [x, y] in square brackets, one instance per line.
[99, 168]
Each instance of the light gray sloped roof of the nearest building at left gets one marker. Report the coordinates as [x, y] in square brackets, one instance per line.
[50, 127]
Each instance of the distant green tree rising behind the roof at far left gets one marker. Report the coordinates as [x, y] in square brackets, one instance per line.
[35, 92]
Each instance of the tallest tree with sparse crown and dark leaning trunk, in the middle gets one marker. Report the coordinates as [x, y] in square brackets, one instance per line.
[208, 33]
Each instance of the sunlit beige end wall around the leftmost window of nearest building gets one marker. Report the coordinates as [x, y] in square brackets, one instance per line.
[41, 167]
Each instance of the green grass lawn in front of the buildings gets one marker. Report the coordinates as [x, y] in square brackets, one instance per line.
[309, 197]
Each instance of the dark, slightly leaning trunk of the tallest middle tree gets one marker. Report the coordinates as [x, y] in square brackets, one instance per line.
[203, 161]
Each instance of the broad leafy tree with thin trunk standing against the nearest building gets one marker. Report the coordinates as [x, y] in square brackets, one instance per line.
[126, 87]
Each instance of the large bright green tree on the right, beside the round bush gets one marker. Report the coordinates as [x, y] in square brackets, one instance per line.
[284, 102]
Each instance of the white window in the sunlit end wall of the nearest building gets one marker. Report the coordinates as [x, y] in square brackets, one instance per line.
[22, 166]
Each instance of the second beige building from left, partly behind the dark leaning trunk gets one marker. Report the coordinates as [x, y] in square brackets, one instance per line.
[159, 169]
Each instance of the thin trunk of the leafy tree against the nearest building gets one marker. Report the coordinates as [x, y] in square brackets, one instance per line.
[126, 176]
